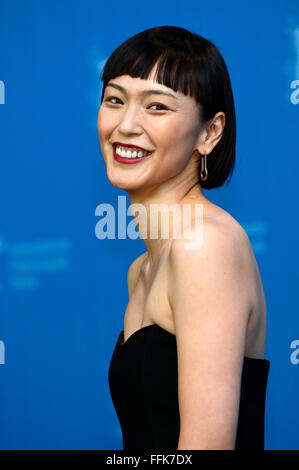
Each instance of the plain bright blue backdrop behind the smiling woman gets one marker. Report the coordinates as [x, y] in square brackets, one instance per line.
[63, 292]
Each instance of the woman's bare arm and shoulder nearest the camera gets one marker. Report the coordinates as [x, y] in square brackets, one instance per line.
[211, 309]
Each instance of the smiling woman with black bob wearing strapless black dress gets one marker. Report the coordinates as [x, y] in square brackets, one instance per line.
[188, 370]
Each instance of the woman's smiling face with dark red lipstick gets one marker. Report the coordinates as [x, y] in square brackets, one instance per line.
[135, 112]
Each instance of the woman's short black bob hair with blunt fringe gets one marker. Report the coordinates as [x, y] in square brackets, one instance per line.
[191, 64]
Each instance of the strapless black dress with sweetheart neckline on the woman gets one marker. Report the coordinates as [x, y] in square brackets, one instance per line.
[144, 389]
